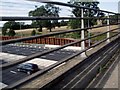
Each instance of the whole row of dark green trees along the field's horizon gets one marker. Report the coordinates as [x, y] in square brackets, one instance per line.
[50, 10]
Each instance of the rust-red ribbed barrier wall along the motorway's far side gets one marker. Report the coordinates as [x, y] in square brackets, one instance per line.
[46, 40]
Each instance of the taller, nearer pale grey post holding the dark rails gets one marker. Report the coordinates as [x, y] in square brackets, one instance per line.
[82, 33]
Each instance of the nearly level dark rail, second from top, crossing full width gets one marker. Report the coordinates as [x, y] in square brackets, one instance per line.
[52, 18]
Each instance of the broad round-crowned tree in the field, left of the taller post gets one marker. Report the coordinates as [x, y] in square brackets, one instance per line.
[49, 10]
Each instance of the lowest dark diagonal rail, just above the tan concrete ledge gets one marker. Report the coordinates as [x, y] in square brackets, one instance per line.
[35, 75]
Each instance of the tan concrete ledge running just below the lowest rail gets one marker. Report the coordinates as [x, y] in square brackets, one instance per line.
[49, 76]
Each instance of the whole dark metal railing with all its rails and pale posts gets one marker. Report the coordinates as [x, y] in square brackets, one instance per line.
[82, 41]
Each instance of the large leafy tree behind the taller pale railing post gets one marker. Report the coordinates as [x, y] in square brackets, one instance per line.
[87, 13]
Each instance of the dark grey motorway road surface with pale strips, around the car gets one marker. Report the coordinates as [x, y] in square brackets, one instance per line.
[14, 52]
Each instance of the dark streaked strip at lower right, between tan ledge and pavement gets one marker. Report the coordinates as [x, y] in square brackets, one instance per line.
[86, 79]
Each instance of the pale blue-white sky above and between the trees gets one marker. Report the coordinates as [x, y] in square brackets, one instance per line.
[22, 7]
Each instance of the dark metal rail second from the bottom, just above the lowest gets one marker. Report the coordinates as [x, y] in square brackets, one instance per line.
[4, 66]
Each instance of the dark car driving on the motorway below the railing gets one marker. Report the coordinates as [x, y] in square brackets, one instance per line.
[29, 68]
